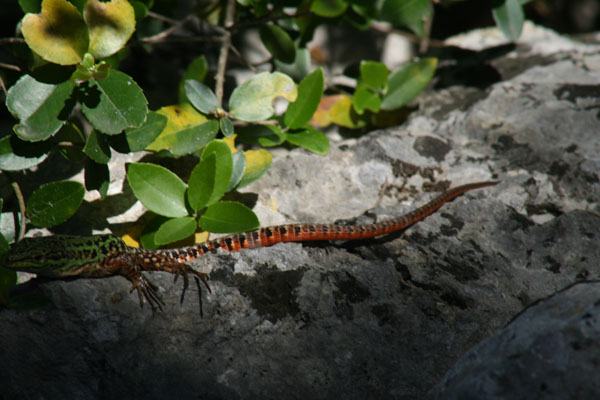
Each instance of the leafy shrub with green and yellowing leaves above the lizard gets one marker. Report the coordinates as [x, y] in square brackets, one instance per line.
[71, 97]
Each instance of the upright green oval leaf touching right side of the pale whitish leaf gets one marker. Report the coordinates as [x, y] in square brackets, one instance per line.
[310, 92]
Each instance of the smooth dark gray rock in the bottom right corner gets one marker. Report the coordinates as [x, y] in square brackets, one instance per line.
[549, 351]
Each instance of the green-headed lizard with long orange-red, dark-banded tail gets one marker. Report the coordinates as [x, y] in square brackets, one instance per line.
[97, 256]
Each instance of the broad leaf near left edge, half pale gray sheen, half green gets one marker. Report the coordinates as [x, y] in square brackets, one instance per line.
[41, 108]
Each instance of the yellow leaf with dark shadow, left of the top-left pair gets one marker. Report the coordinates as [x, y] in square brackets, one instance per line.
[58, 34]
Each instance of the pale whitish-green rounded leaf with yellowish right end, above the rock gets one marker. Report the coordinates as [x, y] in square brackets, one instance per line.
[252, 100]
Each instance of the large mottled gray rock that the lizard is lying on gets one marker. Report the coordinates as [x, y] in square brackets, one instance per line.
[383, 318]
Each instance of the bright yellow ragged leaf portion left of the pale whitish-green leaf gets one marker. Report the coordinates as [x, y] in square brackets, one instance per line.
[180, 117]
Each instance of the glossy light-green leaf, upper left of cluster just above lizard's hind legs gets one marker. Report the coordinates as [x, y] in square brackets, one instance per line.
[159, 190]
